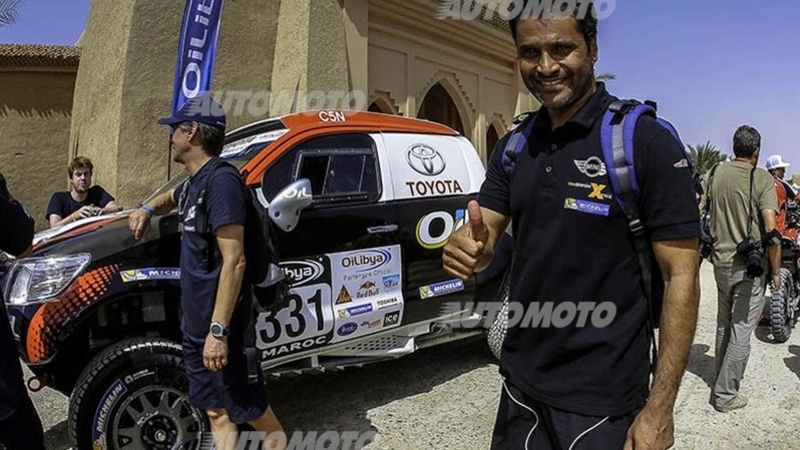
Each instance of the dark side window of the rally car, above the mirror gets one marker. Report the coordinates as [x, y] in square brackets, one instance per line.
[341, 168]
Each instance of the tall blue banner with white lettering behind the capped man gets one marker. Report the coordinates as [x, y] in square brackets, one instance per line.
[197, 48]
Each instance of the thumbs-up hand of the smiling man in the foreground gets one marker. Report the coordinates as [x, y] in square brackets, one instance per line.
[467, 247]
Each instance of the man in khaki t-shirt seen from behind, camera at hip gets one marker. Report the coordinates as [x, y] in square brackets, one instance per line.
[743, 231]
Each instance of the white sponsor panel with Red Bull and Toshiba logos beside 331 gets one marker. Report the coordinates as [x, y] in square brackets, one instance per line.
[367, 291]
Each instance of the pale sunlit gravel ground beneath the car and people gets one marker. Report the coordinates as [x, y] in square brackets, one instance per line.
[445, 398]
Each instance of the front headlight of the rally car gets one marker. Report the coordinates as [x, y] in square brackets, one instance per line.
[34, 280]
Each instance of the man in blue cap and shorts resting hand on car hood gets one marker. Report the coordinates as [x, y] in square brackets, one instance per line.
[212, 208]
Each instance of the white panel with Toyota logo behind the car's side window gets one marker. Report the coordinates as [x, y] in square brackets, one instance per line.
[427, 166]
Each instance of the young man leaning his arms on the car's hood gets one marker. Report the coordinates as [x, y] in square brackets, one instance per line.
[82, 200]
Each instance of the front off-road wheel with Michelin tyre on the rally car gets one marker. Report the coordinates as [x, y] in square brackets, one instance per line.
[143, 377]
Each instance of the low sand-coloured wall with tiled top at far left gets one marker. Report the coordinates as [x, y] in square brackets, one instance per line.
[37, 84]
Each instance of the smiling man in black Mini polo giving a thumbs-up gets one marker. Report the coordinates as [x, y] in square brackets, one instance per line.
[584, 386]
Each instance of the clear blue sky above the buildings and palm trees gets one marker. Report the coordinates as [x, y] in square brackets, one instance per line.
[711, 65]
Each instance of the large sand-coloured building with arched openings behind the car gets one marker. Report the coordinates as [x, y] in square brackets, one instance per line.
[396, 53]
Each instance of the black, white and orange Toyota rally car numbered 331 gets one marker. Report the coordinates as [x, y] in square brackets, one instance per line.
[97, 314]
